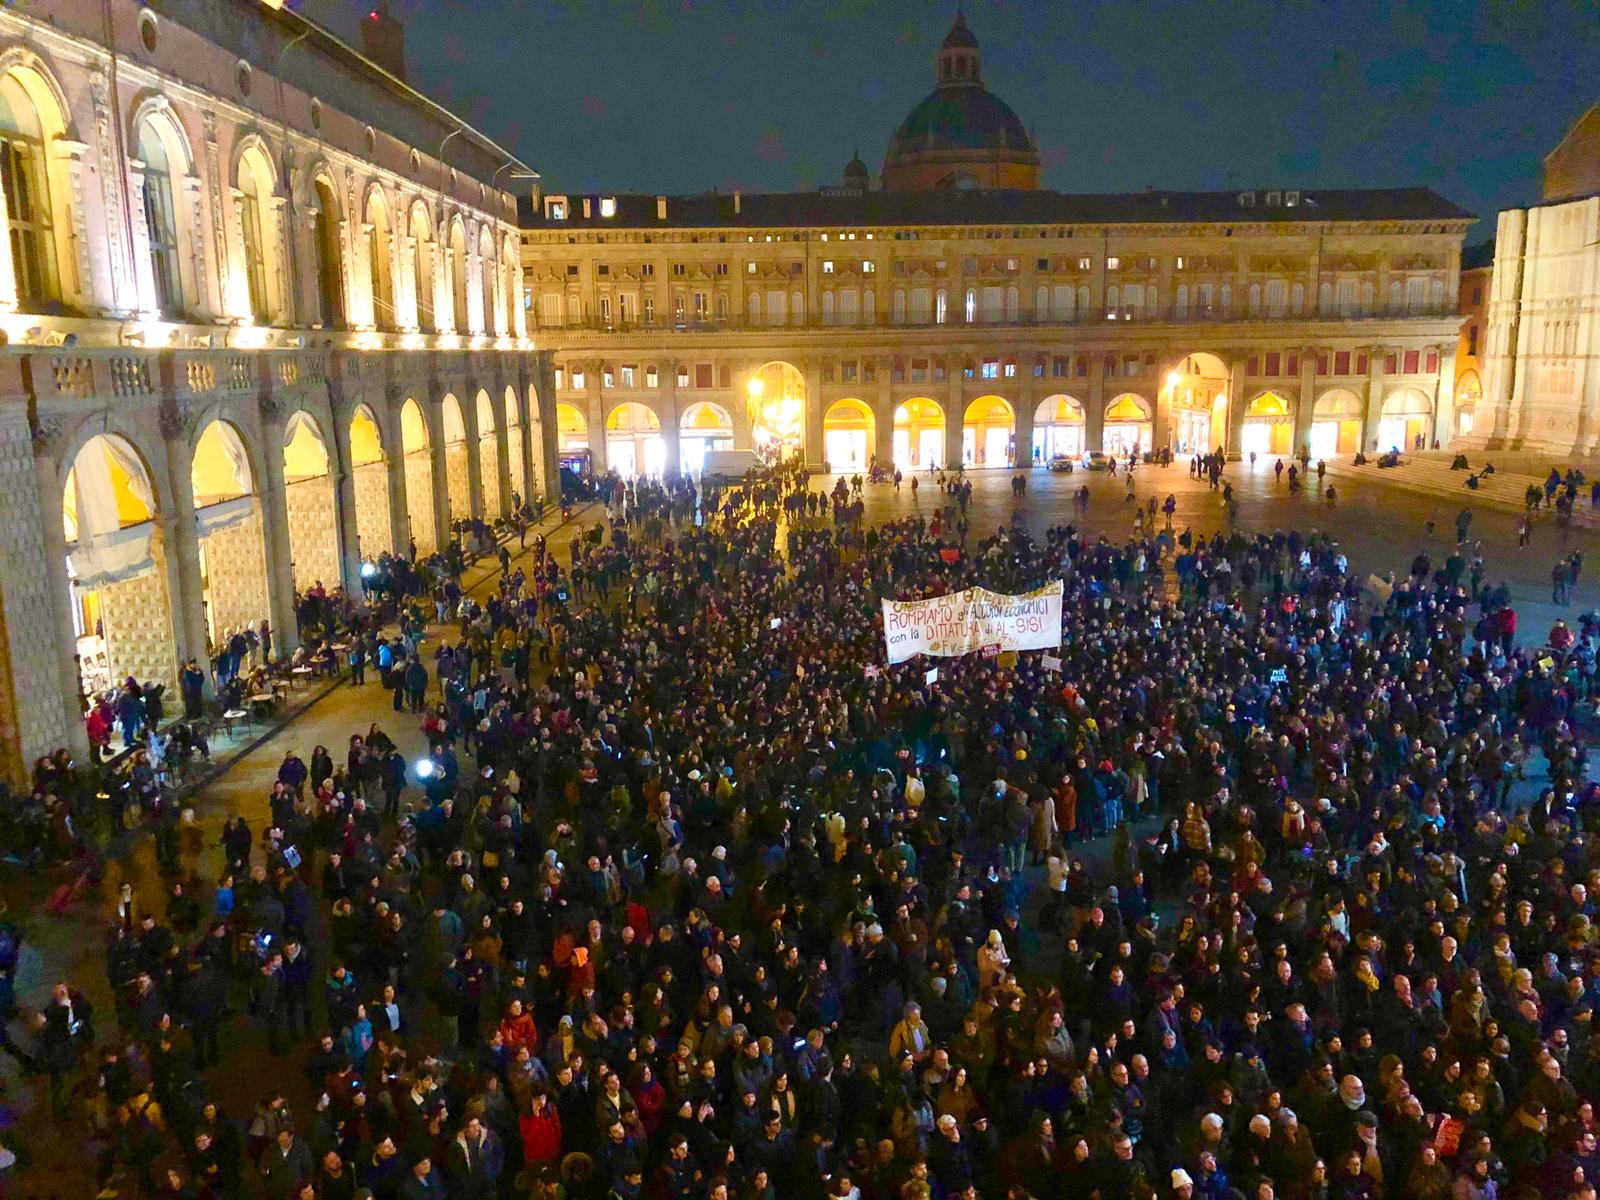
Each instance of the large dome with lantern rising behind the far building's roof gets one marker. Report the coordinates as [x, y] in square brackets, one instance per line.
[962, 135]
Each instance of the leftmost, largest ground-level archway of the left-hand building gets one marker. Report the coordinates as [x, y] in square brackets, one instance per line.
[118, 569]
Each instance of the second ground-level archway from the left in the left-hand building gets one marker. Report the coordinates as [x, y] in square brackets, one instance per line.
[233, 546]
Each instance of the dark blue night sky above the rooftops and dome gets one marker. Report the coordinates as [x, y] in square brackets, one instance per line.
[772, 97]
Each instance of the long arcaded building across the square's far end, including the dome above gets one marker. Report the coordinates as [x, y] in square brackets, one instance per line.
[961, 314]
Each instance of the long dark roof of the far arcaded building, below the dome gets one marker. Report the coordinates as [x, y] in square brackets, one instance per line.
[769, 210]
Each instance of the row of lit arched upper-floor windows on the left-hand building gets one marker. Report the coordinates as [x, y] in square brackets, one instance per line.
[417, 278]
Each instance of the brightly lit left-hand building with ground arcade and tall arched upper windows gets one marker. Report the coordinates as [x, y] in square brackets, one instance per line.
[254, 287]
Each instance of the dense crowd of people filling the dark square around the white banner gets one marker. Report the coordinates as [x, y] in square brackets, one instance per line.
[695, 898]
